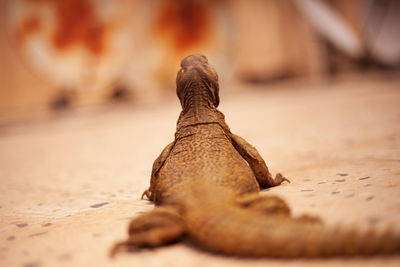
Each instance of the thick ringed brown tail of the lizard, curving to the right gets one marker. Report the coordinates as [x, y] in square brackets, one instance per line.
[222, 227]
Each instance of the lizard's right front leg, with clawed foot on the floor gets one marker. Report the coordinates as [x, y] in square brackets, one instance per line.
[256, 162]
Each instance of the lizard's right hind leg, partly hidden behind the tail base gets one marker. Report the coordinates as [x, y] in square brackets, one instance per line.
[264, 204]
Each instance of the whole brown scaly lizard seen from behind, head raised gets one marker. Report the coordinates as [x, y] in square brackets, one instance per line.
[206, 183]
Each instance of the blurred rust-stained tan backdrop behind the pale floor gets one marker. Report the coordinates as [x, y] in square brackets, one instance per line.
[60, 55]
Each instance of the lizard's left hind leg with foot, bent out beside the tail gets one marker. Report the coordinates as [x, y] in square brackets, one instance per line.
[156, 228]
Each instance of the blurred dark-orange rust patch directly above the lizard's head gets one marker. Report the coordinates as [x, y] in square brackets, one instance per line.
[184, 23]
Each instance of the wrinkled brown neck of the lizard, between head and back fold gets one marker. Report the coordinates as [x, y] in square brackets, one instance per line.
[198, 109]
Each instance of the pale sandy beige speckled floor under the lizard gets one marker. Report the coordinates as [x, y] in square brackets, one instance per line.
[68, 187]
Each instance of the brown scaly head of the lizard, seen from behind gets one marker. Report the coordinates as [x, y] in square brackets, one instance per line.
[197, 74]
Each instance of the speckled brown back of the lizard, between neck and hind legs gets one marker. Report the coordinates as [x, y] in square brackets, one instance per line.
[203, 153]
